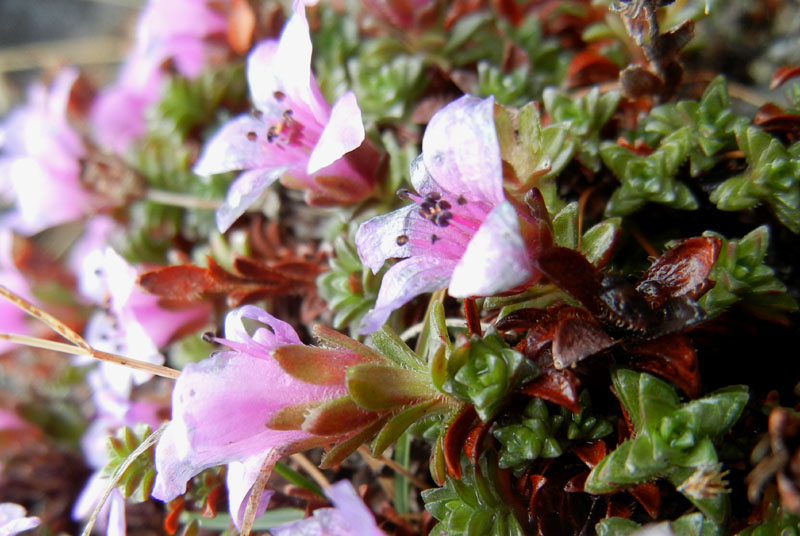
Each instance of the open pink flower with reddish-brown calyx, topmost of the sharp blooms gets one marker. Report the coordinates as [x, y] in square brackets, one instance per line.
[293, 133]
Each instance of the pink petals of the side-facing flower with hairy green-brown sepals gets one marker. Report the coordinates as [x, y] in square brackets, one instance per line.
[222, 407]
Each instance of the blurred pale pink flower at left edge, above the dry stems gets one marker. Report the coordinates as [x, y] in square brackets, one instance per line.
[41, 157]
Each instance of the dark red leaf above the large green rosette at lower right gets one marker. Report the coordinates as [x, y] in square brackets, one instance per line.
[671, 357]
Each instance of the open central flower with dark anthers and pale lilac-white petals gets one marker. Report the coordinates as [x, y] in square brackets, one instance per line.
[460, 231]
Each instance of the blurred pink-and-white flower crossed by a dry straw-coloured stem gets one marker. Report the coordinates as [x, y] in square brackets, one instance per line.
[132, 322]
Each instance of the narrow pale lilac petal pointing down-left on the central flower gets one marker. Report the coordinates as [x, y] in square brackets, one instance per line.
[404, 281]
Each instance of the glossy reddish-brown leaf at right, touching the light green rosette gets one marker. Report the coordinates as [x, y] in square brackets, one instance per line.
[680, 271]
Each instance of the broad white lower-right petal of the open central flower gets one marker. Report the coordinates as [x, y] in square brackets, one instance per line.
[496, 259]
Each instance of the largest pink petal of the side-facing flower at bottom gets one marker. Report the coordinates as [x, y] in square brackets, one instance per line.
[220, 408]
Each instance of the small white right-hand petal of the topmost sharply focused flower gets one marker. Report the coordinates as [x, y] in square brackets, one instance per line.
[343, 133]
